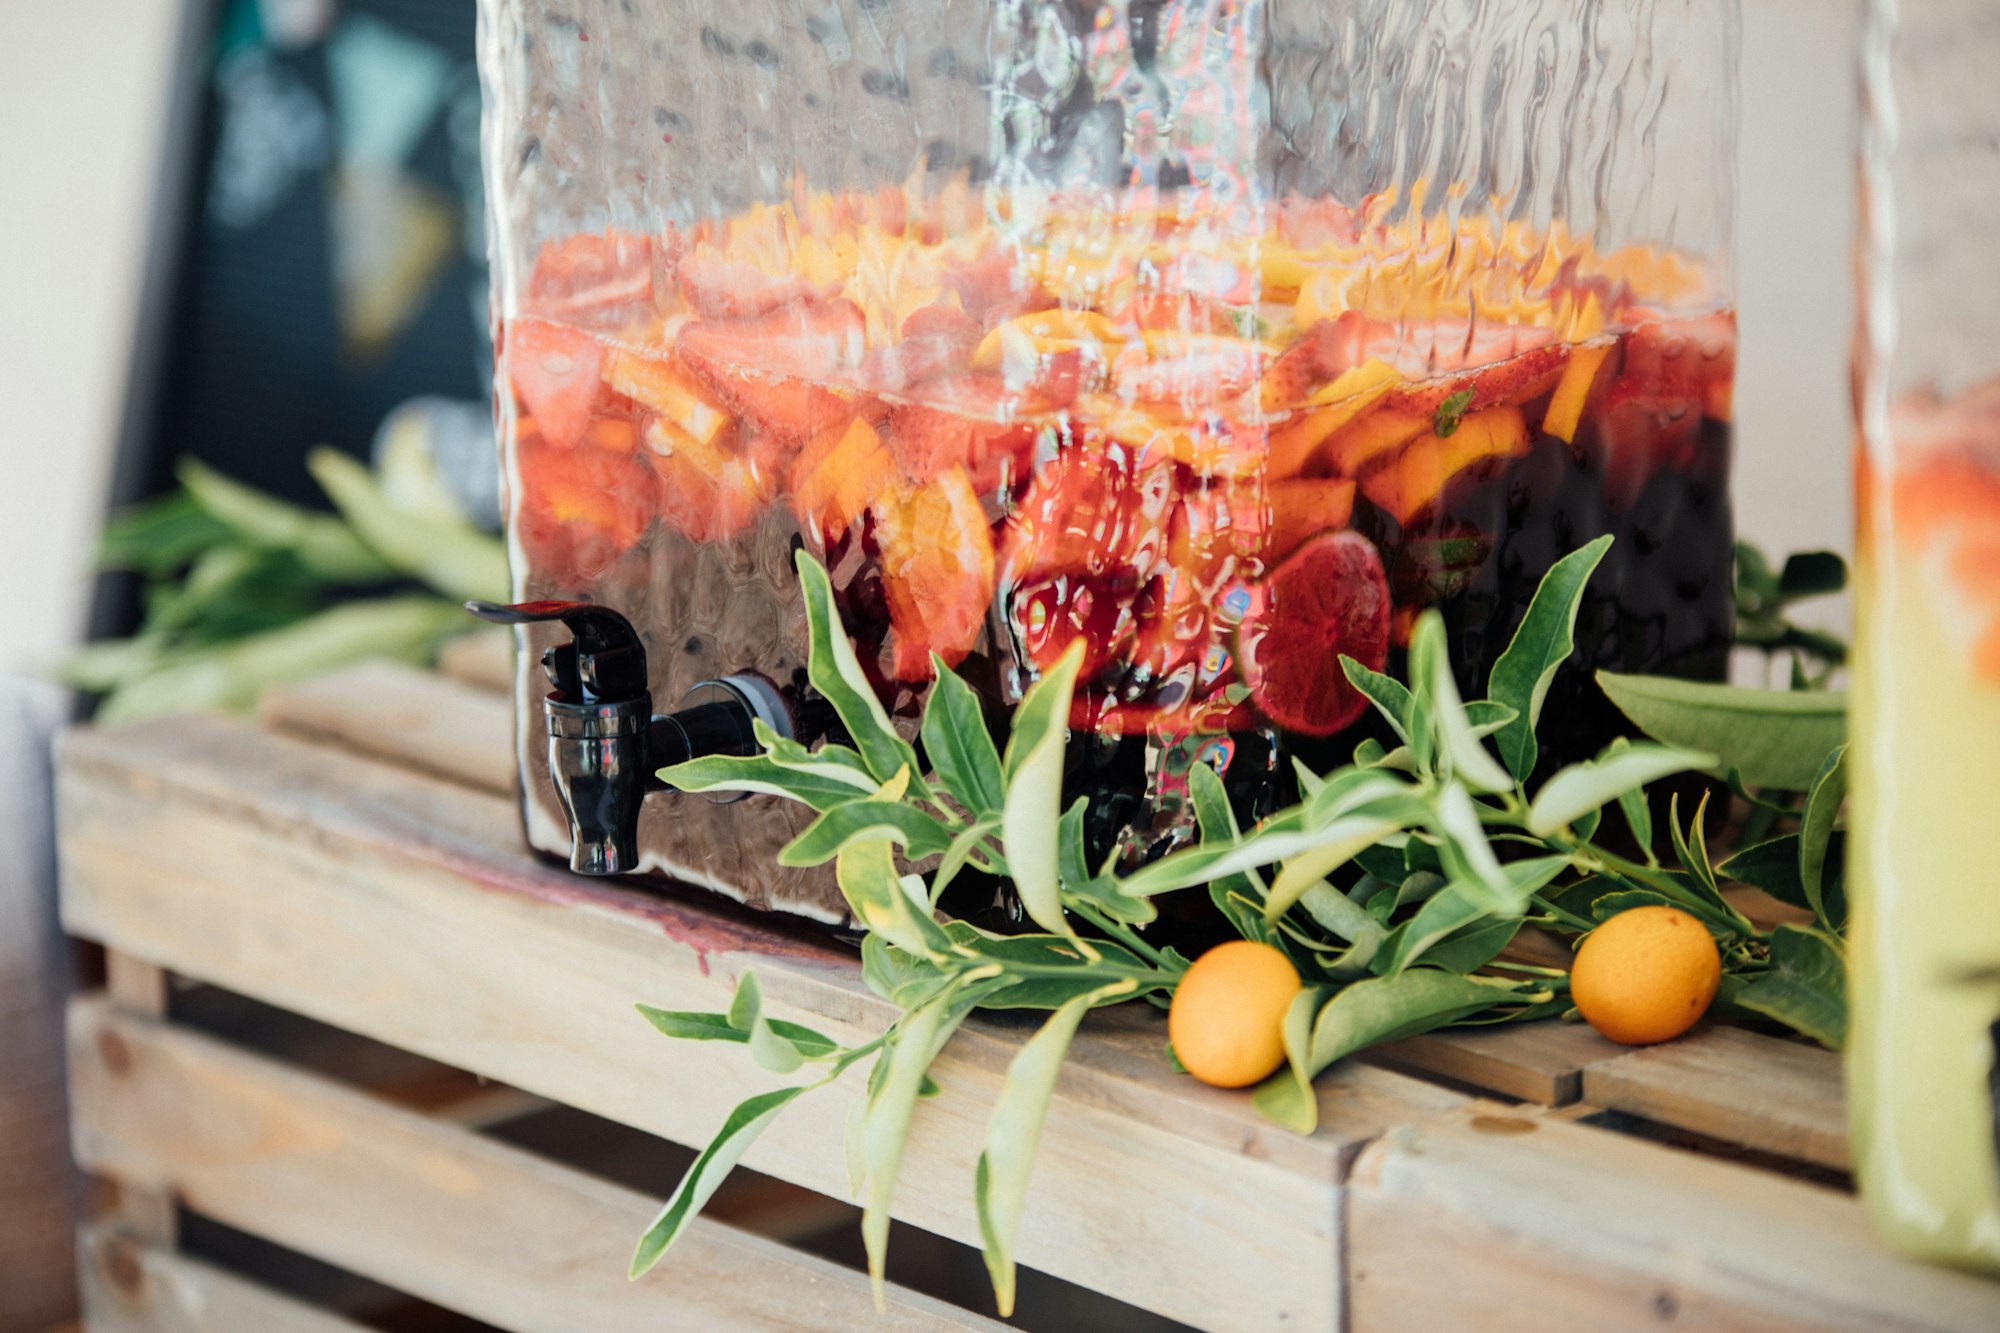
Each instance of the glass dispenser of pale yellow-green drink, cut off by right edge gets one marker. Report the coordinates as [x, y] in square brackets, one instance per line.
[1925, 942]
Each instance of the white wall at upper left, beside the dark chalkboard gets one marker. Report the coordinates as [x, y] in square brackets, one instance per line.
[85, 89]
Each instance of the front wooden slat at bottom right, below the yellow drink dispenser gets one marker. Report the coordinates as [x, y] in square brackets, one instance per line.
[1497, 1220]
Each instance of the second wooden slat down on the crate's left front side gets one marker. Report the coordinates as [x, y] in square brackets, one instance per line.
[425, 1206]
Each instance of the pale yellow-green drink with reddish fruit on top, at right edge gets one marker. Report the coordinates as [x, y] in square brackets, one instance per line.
[1925, 942]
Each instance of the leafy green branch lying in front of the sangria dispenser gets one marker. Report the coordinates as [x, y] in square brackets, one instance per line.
[1395, 884]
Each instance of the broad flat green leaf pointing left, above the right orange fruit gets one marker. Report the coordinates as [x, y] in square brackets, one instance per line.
[1773, 738]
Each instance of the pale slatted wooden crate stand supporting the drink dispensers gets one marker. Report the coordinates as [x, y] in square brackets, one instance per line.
[355, 860]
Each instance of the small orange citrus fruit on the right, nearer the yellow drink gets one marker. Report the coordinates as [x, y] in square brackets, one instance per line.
[1647, 976]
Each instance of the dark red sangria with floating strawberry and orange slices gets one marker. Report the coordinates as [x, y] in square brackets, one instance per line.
[1217, 461]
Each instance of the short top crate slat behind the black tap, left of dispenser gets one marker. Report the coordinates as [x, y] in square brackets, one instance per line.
[413, 718]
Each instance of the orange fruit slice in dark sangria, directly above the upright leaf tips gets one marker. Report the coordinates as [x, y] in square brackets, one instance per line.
[937, 571]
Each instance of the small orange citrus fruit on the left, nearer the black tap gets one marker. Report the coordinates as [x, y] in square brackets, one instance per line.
[1227, 1022]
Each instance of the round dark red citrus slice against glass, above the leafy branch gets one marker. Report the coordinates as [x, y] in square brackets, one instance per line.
[1327, 599]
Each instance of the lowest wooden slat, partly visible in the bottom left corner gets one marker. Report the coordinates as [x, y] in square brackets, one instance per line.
[135, 1288]
